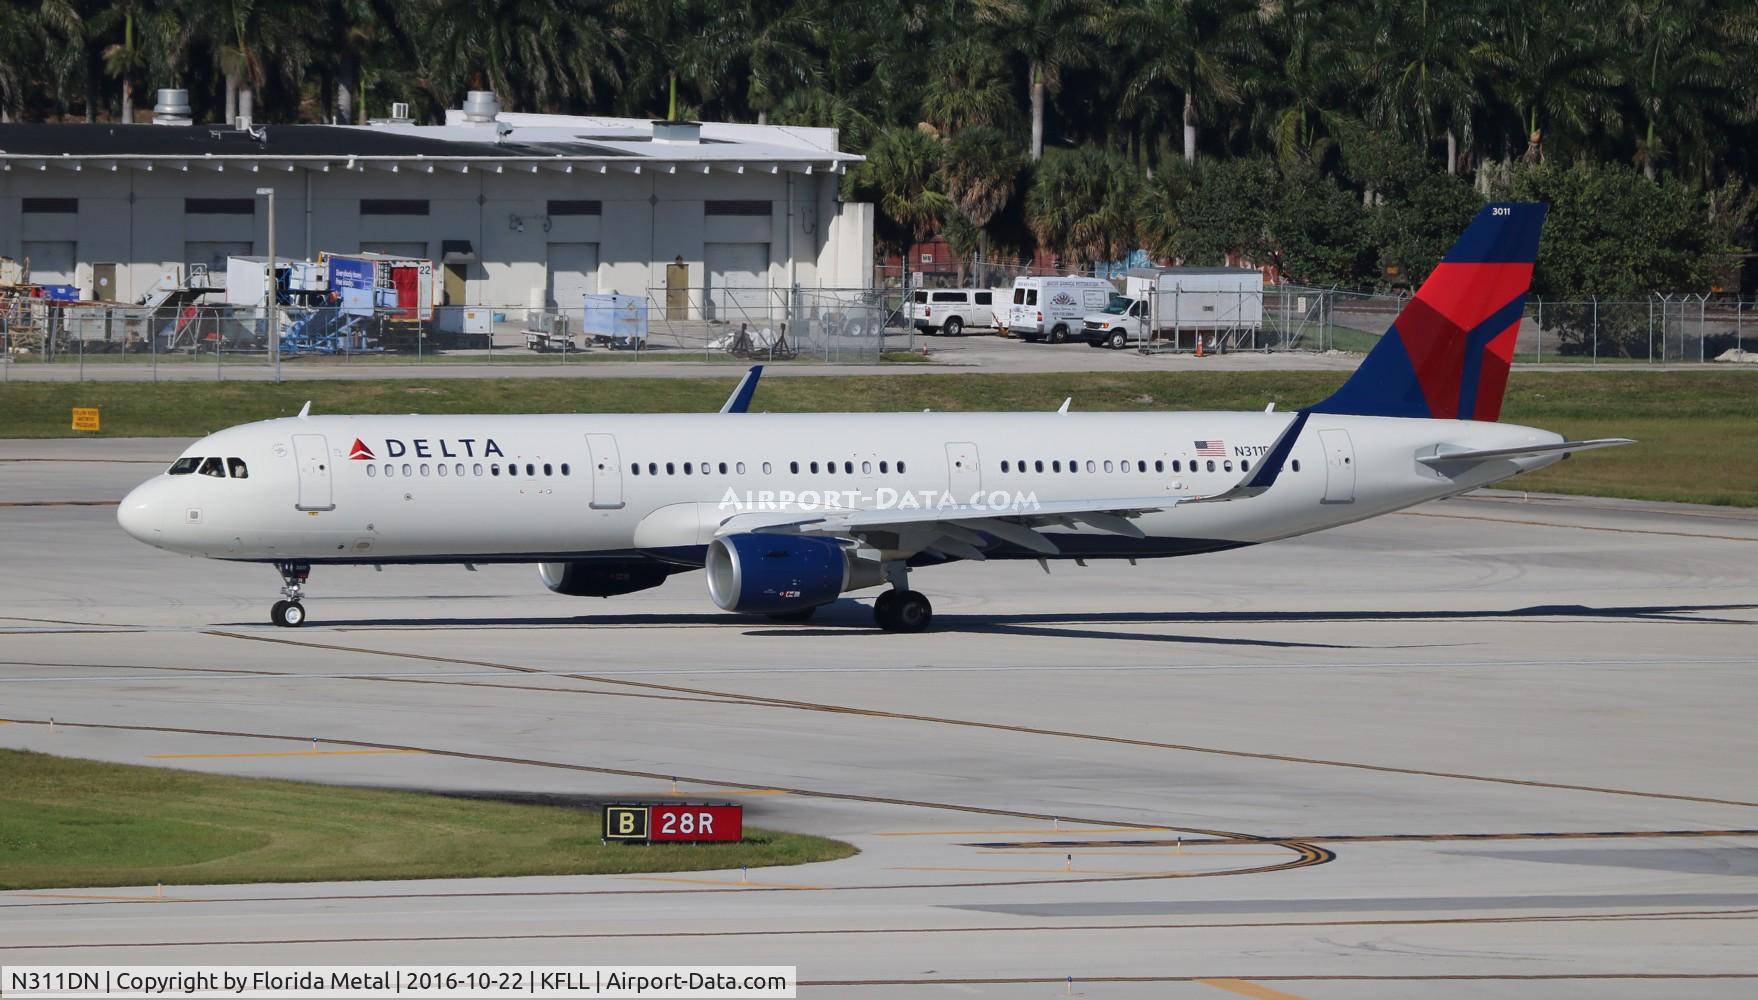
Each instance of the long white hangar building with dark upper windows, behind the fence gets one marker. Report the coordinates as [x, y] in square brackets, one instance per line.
[514, 210]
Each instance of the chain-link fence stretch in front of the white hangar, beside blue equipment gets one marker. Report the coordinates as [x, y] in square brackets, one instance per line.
[706, 326]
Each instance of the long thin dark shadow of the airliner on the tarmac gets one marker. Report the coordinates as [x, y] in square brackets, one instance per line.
[854, 618]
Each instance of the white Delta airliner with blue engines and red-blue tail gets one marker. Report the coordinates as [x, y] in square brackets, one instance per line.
[788, 512]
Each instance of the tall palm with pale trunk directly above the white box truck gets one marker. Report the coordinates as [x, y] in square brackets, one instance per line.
[1188, 47]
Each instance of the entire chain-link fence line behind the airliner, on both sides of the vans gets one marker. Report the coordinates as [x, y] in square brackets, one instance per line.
[773, 326]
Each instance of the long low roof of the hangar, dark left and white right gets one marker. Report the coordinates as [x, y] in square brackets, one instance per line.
[512, 141]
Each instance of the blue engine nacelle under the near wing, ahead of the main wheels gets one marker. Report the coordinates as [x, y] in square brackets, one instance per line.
[780, 574]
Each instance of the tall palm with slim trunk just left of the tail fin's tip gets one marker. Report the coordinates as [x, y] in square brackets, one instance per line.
[1427, 61]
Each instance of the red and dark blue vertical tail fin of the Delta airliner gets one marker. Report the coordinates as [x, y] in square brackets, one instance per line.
[1448, 354]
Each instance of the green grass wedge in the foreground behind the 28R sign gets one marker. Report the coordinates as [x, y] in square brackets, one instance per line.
[68, 823]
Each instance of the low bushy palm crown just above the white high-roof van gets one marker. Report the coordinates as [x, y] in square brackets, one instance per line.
[1084, 205]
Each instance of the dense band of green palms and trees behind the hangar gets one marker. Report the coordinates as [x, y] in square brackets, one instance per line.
[1326, 131]
